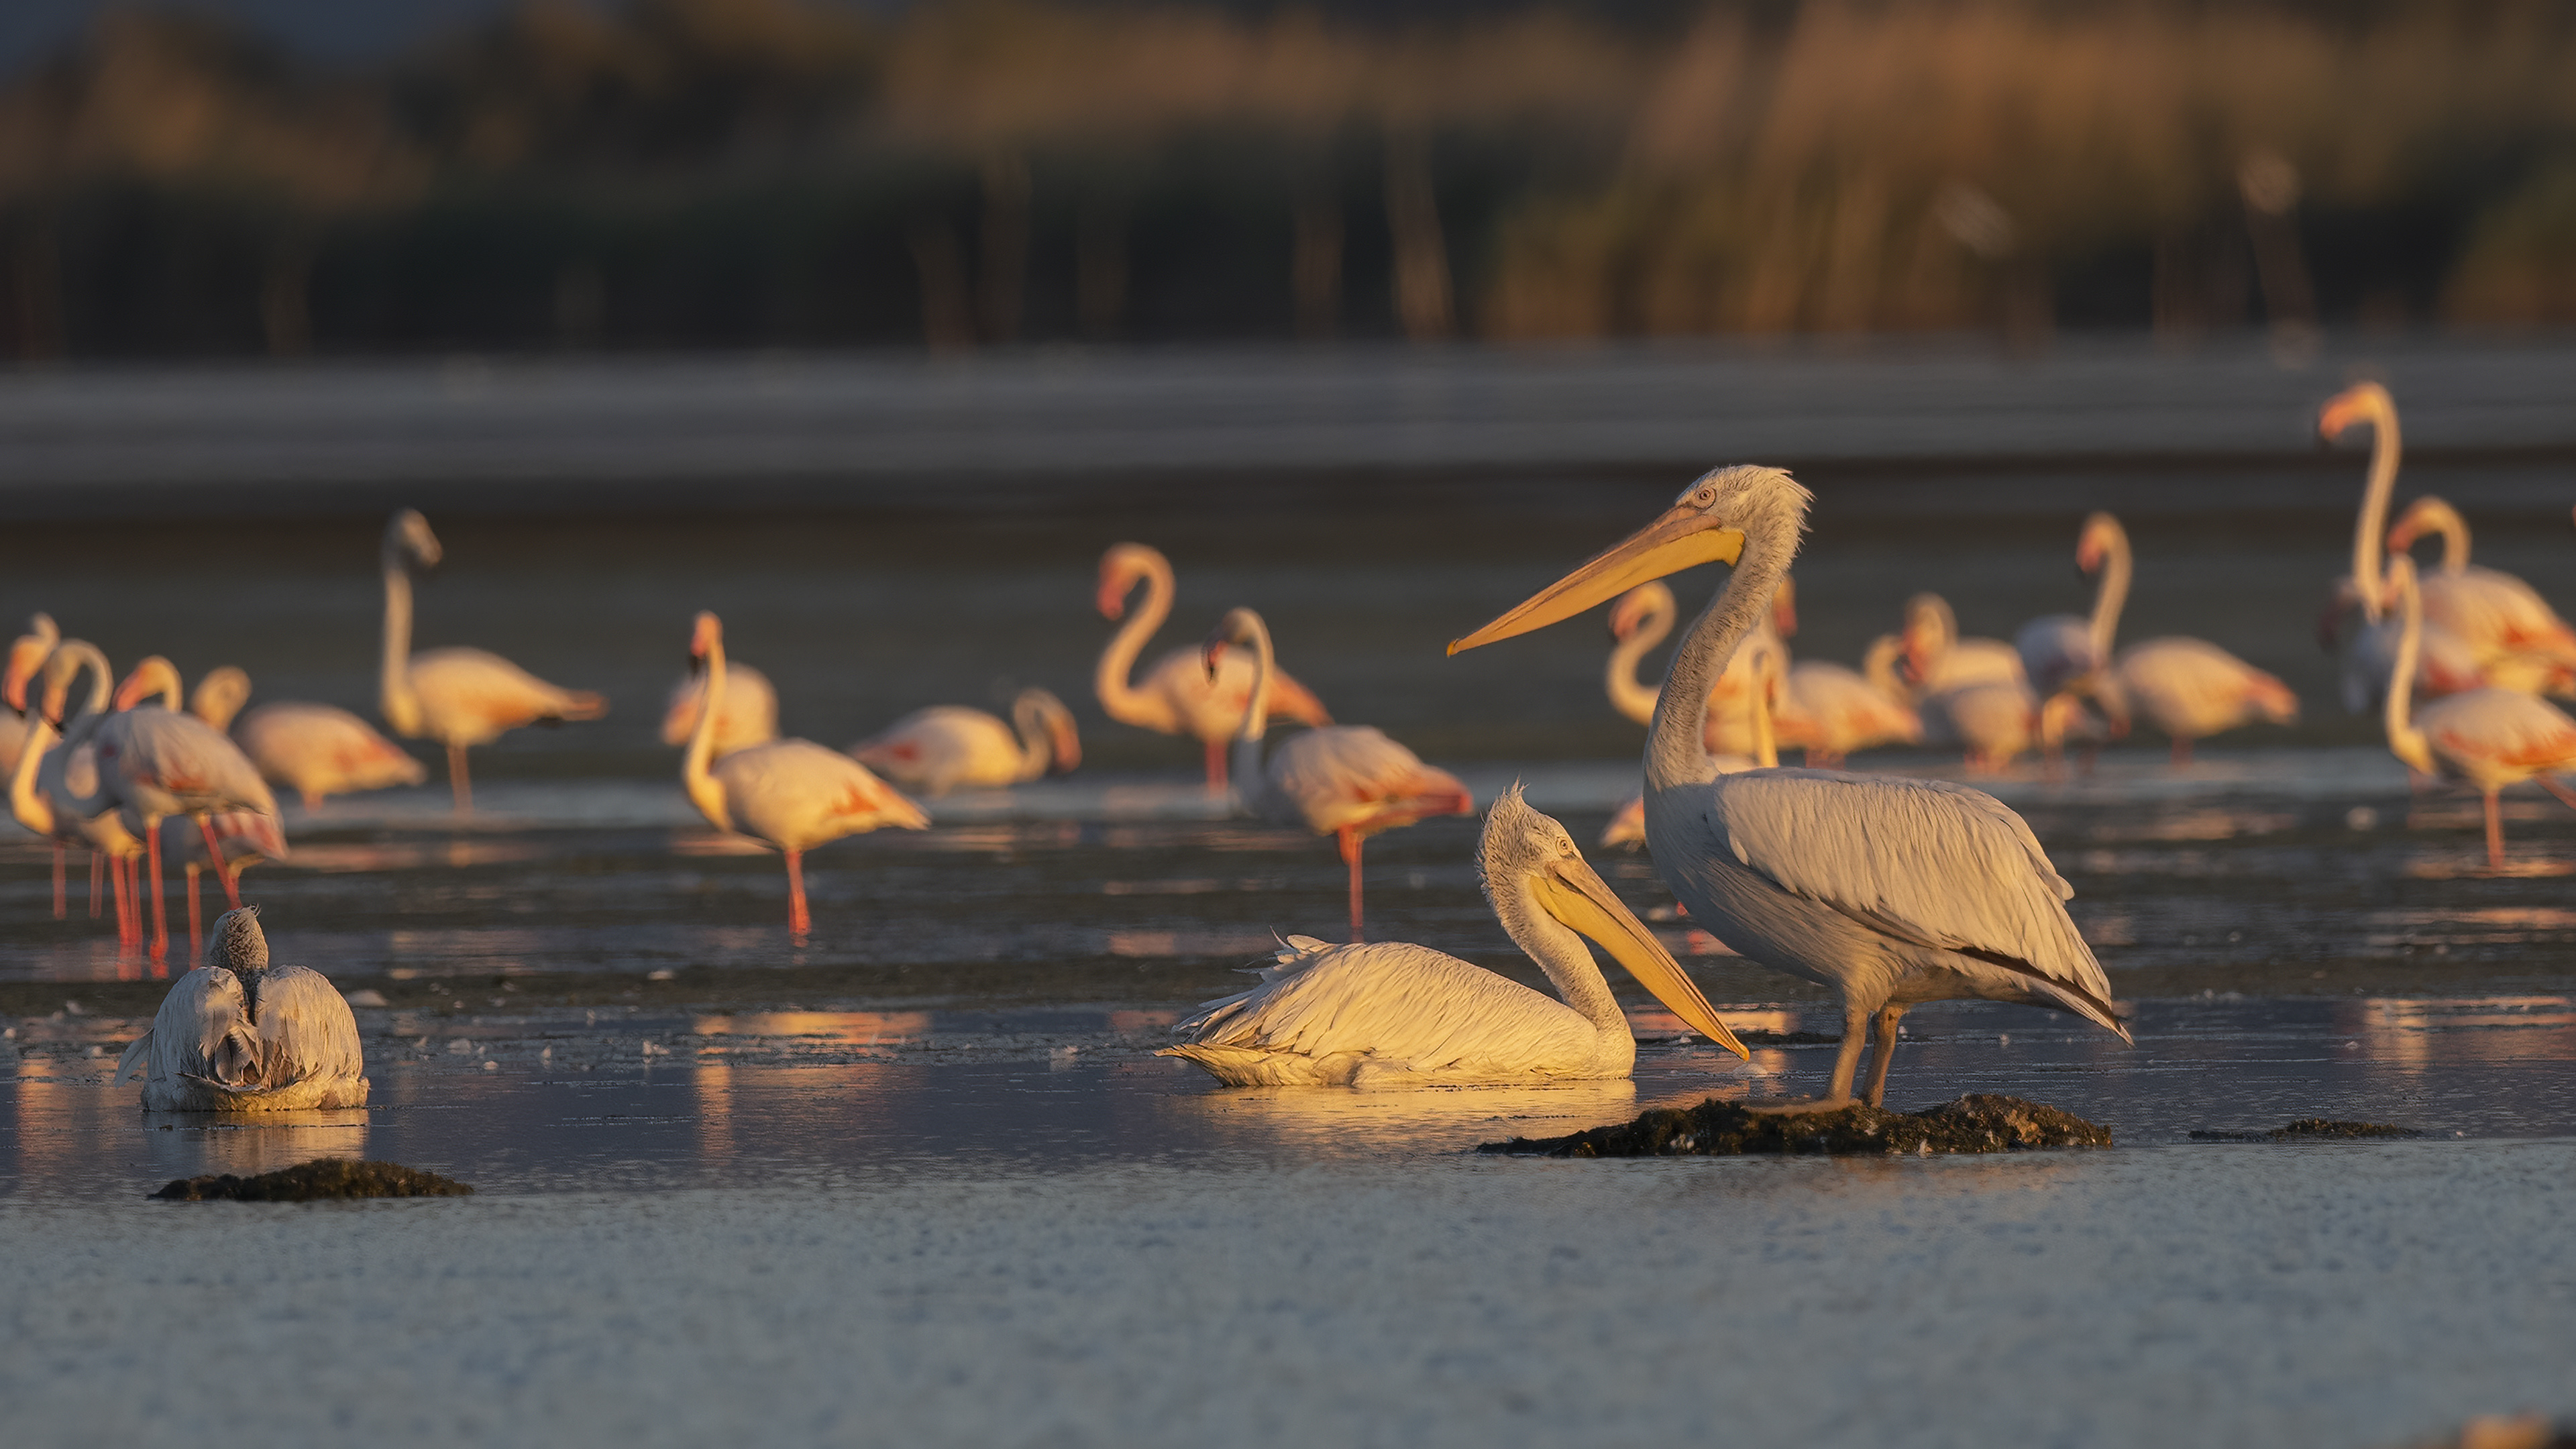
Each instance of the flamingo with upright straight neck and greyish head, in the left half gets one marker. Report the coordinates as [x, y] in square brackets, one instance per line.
[457, 697]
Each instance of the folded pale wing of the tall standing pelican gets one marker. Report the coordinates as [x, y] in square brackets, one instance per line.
[1918, 860]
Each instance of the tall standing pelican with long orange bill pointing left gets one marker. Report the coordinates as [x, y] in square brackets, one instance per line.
[1889, 891]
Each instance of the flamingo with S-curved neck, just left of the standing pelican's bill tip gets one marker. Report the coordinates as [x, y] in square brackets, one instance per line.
[1176, 695]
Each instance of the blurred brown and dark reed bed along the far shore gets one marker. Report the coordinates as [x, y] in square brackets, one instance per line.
[985, 171]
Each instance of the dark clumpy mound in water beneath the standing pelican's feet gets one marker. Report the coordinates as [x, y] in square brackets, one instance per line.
[1982, 1123]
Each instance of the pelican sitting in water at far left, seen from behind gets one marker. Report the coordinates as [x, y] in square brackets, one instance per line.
[241, 1035]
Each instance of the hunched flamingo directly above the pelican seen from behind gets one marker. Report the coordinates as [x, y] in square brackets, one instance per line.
[156, 762]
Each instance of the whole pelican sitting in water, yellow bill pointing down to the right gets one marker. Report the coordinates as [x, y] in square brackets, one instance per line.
[1397, 1015]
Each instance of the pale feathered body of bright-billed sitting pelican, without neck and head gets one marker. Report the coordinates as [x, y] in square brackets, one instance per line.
[1385, 1004]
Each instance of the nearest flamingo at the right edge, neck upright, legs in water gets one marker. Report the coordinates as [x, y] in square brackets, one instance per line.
[2485, 739]
